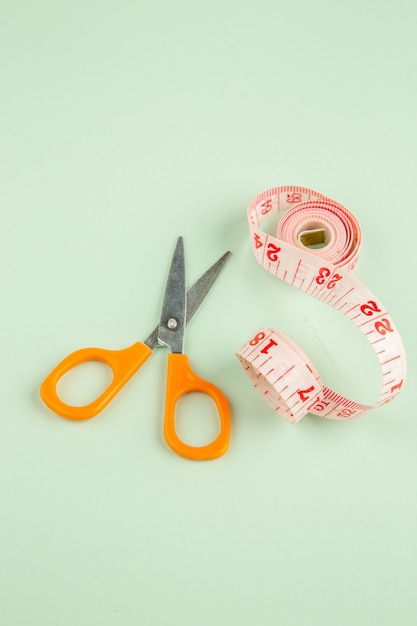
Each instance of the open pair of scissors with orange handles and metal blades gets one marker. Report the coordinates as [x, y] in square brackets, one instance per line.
[179, 306]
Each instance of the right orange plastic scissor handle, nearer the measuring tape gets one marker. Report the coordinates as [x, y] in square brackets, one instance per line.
[180, 381]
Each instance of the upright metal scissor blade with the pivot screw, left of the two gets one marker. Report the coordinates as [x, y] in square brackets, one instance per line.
[173, 315]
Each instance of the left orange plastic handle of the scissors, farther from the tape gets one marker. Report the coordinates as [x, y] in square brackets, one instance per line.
[124, 363]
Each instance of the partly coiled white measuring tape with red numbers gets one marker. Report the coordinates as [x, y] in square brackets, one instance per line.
[315, 249]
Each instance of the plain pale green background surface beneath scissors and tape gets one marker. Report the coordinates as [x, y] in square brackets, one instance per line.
[123, 125]
